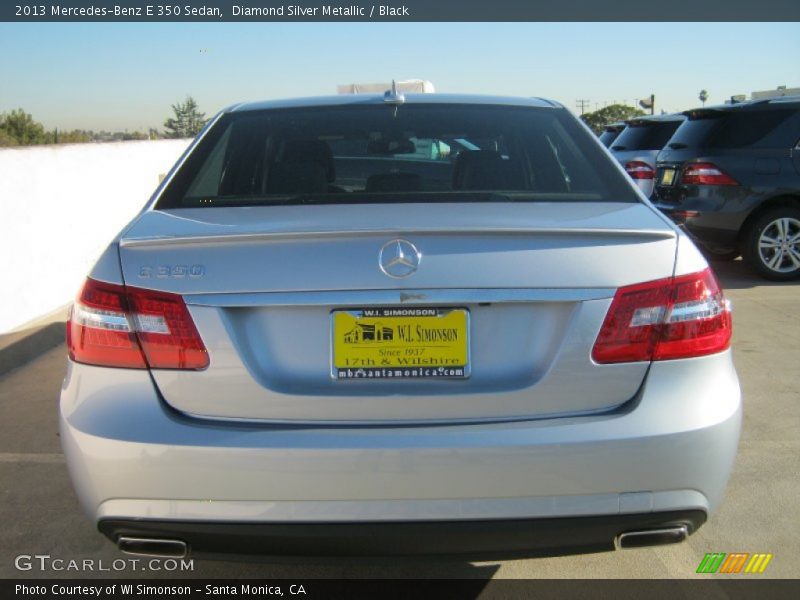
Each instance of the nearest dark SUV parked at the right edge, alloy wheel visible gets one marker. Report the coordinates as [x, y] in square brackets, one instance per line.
[730, 175]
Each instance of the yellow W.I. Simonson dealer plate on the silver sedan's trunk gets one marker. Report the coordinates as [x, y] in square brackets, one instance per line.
[410, 343]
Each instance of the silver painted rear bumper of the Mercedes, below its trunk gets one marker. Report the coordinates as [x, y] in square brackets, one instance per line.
[135, 461]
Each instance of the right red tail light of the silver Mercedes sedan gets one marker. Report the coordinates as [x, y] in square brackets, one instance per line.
[677, 317]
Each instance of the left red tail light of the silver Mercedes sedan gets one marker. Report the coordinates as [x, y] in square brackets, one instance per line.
[120, 326]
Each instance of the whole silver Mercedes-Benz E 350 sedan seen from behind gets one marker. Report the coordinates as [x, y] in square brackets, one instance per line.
[428, 324]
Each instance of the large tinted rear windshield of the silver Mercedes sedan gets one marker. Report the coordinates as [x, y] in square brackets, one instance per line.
[382, 153]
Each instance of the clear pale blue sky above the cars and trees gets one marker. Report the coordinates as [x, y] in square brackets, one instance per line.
[117, 76]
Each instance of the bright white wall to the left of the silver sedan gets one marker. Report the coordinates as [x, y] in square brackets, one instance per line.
[60, 206]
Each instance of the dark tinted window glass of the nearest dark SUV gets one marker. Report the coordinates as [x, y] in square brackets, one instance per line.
[727, 129]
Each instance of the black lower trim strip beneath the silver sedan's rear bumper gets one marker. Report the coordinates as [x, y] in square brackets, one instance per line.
[477, 540]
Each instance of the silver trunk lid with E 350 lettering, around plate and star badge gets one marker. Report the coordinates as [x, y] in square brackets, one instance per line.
[263, 285]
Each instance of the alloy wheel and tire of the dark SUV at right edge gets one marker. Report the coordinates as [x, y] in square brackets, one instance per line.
[772, 244]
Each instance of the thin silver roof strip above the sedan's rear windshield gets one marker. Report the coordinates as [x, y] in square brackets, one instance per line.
[377, 99]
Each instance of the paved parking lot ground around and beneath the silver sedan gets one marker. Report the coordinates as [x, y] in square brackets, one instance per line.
[761, 512]
